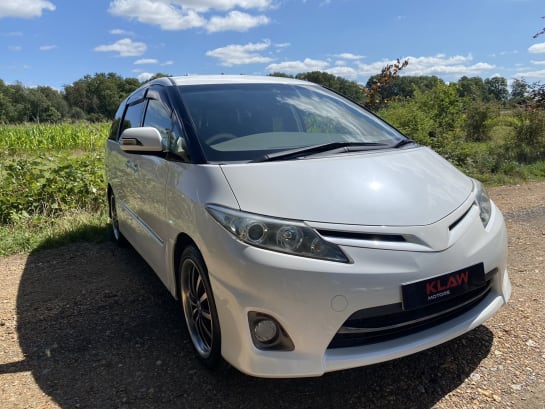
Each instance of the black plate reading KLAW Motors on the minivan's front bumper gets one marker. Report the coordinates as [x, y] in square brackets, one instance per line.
[441, 288]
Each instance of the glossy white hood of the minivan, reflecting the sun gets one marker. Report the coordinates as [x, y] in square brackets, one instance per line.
[396, 188]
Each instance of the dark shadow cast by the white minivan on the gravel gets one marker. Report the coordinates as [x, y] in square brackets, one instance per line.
[99, 330]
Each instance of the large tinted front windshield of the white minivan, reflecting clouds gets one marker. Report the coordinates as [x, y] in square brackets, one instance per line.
[246, 122]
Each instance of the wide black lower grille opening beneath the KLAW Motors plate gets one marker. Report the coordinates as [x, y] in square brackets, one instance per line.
[388, 322]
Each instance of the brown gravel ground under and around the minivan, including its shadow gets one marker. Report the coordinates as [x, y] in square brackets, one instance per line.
[90, 326]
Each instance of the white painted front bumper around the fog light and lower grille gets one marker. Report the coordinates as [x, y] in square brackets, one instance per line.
[311, 299]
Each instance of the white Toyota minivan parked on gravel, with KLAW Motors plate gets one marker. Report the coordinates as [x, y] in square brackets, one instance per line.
[301, 233]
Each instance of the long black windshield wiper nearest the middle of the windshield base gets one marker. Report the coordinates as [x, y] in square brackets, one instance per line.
[317, 149]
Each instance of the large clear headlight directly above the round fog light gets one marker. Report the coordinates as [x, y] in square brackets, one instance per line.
[284, 236]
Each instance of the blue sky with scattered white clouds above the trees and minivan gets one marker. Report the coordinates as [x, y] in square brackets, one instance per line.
[56, 42]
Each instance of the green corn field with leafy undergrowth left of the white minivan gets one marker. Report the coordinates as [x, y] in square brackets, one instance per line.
[47, 170]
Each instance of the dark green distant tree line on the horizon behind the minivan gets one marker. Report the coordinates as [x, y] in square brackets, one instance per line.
[96, 98]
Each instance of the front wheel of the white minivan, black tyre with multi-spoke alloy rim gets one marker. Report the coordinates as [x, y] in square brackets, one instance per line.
[199, 308]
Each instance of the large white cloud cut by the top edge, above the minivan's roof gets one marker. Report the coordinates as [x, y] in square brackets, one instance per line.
[176, 15]
